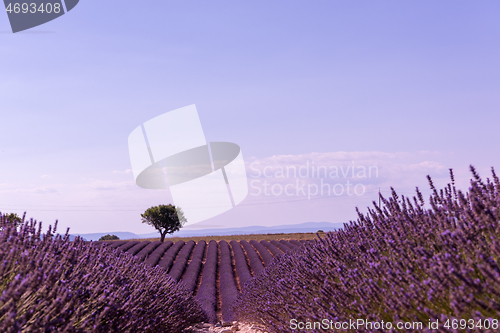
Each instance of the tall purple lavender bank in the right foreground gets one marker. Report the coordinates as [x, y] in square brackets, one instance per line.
[399, 263]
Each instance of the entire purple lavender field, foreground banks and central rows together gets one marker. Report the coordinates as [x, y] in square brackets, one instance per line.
[400, 262]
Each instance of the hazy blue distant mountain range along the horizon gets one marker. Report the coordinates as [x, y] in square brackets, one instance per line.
[290, 228]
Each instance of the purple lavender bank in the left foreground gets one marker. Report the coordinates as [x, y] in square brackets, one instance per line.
[51, 284]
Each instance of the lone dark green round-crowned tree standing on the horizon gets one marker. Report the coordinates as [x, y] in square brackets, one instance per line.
[165, 218]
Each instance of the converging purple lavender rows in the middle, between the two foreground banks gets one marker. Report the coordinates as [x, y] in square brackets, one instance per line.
[184, 262]
